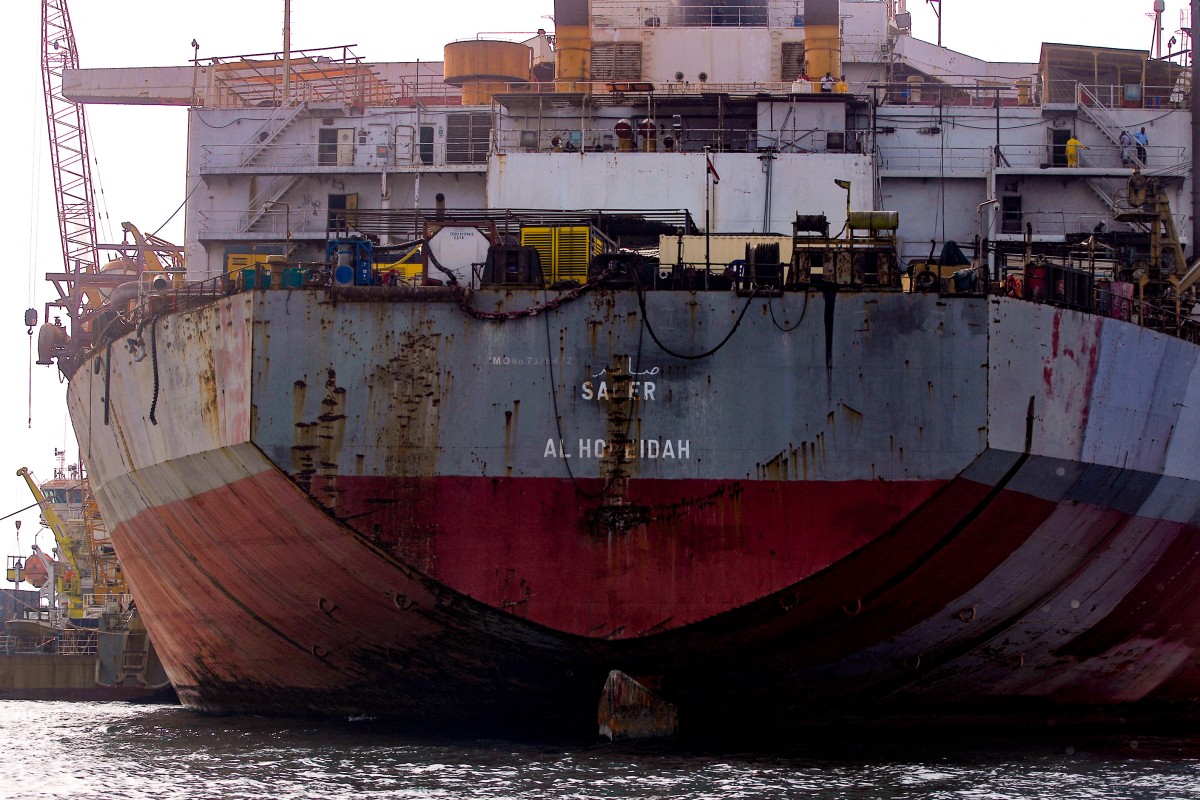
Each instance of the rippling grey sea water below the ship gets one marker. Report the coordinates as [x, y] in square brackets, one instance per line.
[116, 751]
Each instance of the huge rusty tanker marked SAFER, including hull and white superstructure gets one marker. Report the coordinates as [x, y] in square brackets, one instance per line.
[791, 370]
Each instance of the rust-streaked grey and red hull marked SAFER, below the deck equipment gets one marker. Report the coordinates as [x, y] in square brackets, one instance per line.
[863, 508]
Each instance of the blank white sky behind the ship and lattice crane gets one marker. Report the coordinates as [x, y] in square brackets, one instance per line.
[139, 153]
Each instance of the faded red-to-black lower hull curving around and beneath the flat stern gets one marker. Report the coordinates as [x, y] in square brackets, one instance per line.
[884, 633]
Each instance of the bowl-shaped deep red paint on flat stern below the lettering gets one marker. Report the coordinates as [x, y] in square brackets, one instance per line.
[709, 546]
